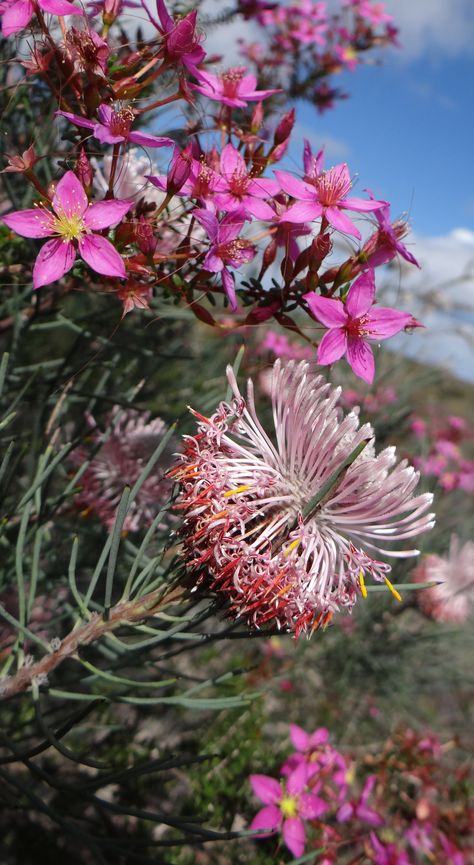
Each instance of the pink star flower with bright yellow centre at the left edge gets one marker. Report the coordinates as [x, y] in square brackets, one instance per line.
[72, 221]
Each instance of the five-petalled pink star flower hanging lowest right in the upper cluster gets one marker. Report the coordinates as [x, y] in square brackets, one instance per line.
[352, 323]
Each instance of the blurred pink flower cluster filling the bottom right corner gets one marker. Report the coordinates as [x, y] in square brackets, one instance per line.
[327, 801]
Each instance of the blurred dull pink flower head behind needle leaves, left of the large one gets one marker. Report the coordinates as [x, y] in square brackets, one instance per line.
[123, 451]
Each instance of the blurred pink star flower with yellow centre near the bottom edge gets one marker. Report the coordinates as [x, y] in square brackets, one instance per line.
[286, 806]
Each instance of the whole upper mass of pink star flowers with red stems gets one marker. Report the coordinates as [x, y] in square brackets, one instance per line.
[220, 205]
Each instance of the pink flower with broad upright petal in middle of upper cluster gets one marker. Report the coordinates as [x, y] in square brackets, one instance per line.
[241, 190]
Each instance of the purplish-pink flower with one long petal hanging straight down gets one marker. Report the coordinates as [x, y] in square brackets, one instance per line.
[226, 247]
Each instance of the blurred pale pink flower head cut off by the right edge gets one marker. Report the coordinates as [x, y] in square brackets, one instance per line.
[453, 599]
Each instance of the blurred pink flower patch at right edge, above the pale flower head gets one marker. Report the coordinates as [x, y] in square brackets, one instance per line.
[443, 457]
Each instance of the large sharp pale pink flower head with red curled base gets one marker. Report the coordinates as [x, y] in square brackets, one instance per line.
[288, 529]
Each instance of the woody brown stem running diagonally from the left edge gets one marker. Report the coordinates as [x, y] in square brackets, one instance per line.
[85, 633]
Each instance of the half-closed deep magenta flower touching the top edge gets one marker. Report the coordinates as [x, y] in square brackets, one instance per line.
[181, 41]
